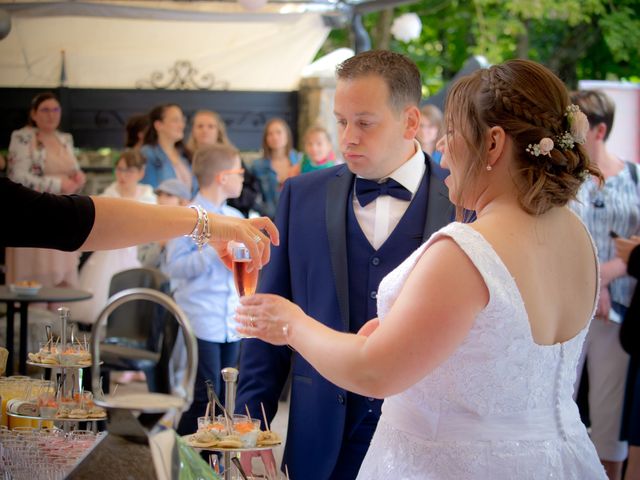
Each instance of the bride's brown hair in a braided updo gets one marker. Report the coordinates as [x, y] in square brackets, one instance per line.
[529, 102]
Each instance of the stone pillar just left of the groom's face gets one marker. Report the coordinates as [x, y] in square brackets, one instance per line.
[316, 108]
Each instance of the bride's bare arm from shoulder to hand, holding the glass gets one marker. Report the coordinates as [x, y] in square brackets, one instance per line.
[426, 324]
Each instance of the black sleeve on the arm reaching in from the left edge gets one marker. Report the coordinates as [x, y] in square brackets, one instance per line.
[43, 220]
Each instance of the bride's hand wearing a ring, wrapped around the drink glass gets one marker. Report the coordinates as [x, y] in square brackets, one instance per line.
[269, 317]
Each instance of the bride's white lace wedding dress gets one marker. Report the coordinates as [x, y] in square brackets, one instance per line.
[499, 408]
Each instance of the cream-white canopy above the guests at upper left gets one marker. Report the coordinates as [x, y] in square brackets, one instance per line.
[115, 44]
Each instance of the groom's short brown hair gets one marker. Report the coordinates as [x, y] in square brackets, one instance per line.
[399, 73]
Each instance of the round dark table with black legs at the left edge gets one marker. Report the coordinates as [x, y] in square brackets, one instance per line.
[57, 295]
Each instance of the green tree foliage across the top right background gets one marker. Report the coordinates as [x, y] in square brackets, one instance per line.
[595, 39]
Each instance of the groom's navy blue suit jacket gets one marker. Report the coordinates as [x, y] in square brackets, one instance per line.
[310, 268]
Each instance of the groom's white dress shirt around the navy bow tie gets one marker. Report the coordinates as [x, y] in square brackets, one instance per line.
[378, 218]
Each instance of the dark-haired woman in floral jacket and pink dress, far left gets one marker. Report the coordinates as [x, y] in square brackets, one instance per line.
[42, 158]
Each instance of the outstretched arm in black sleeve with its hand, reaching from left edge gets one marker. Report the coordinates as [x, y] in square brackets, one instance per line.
[74, 222]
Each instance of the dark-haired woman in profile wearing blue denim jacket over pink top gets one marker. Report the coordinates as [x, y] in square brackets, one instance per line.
[163, 148]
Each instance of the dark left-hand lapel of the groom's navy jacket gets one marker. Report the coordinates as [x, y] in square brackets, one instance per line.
[336, 216]
